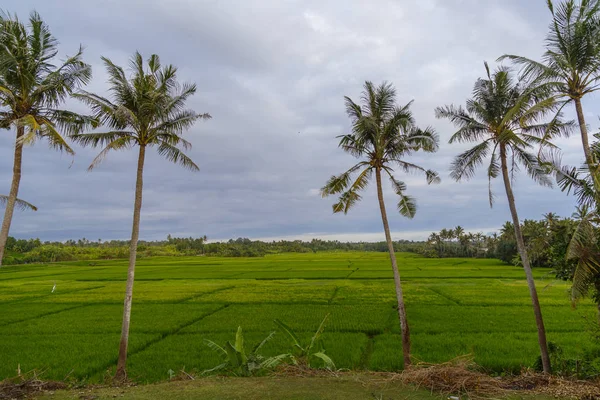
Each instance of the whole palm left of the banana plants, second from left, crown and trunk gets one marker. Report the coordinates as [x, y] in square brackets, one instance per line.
[145, 111]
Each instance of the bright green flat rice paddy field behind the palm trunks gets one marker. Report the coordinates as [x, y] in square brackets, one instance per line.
[455, 307]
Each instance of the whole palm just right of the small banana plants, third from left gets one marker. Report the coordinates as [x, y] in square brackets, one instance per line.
[383, 134]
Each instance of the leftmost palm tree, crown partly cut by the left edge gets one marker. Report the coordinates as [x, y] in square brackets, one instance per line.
[31, 90]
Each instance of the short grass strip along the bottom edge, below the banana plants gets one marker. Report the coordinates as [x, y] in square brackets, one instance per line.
[358, 387]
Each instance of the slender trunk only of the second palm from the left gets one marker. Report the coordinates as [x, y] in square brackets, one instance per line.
[121, 374]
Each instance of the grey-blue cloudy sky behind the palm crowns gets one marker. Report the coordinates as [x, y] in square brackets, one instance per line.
[273, 74]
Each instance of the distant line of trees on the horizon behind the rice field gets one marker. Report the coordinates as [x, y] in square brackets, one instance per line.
[546, 241]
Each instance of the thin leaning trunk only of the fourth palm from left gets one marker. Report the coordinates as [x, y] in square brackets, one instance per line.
[524, 259]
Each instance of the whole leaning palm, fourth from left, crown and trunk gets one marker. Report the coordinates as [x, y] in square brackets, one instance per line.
[505, 119]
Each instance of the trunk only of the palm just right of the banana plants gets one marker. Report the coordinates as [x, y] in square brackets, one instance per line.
[399, 296]
